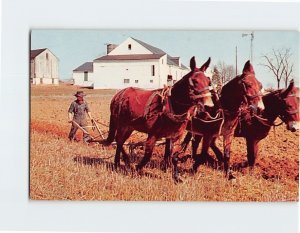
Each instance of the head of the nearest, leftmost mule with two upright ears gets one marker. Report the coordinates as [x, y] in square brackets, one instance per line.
[199, 84]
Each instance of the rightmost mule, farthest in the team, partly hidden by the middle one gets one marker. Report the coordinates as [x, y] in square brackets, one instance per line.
[283, 103]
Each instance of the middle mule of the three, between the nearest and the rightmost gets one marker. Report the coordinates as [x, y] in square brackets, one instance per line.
[240, 96]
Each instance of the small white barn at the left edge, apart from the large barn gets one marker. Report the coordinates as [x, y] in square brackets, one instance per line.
[43, 67]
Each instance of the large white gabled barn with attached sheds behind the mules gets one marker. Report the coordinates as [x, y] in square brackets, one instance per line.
[132, 63]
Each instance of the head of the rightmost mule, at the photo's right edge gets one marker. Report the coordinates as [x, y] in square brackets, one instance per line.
[289, 106]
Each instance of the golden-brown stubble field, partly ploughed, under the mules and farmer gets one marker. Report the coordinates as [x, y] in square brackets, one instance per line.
[64, 170]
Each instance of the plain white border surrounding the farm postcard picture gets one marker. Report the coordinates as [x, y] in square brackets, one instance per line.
[18, 213]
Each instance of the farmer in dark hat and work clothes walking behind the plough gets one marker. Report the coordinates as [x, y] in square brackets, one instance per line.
[77, 116]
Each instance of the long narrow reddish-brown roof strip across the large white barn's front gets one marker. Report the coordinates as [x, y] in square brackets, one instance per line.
[129, 57]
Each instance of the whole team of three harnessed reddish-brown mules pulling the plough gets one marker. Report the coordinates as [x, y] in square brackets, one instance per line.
[192, 104]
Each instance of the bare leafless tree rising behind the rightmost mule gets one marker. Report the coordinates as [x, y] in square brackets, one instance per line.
[278, 62]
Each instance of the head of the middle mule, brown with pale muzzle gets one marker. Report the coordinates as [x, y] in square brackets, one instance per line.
[251, 88]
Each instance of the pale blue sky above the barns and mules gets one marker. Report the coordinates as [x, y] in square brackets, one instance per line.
[74, 47]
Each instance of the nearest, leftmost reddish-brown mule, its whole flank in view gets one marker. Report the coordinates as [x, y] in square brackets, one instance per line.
[157, 113]
